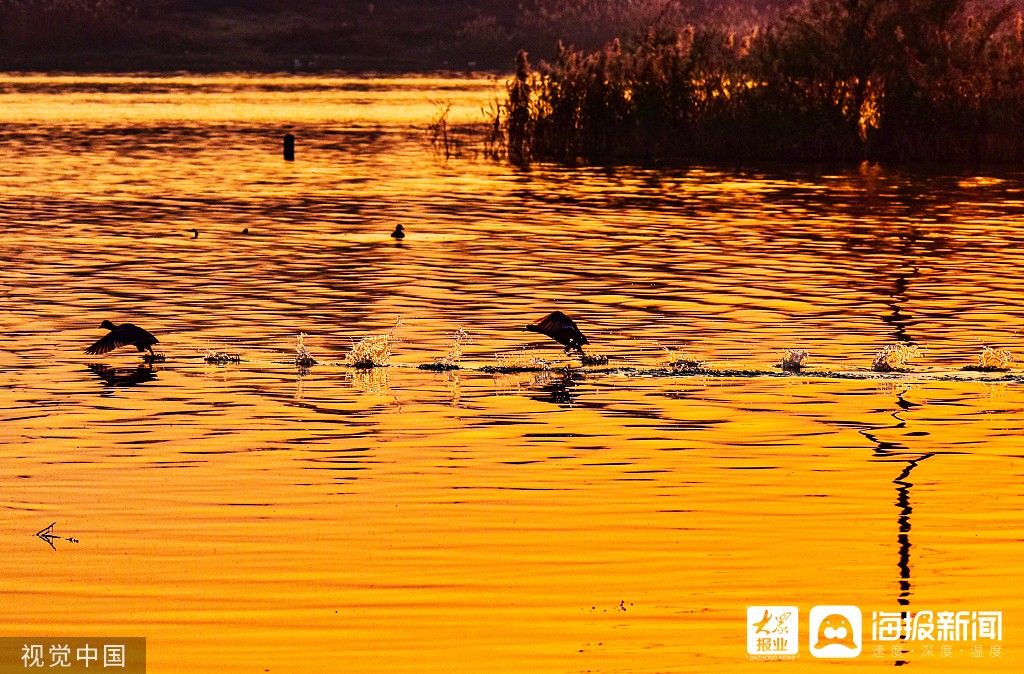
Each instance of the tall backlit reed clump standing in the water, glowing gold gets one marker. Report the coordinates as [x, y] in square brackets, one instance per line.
[829, 80]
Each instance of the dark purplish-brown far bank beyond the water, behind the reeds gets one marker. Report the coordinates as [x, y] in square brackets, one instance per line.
[320, 35]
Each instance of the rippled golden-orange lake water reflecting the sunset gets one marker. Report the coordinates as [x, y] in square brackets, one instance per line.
[268, 520]
